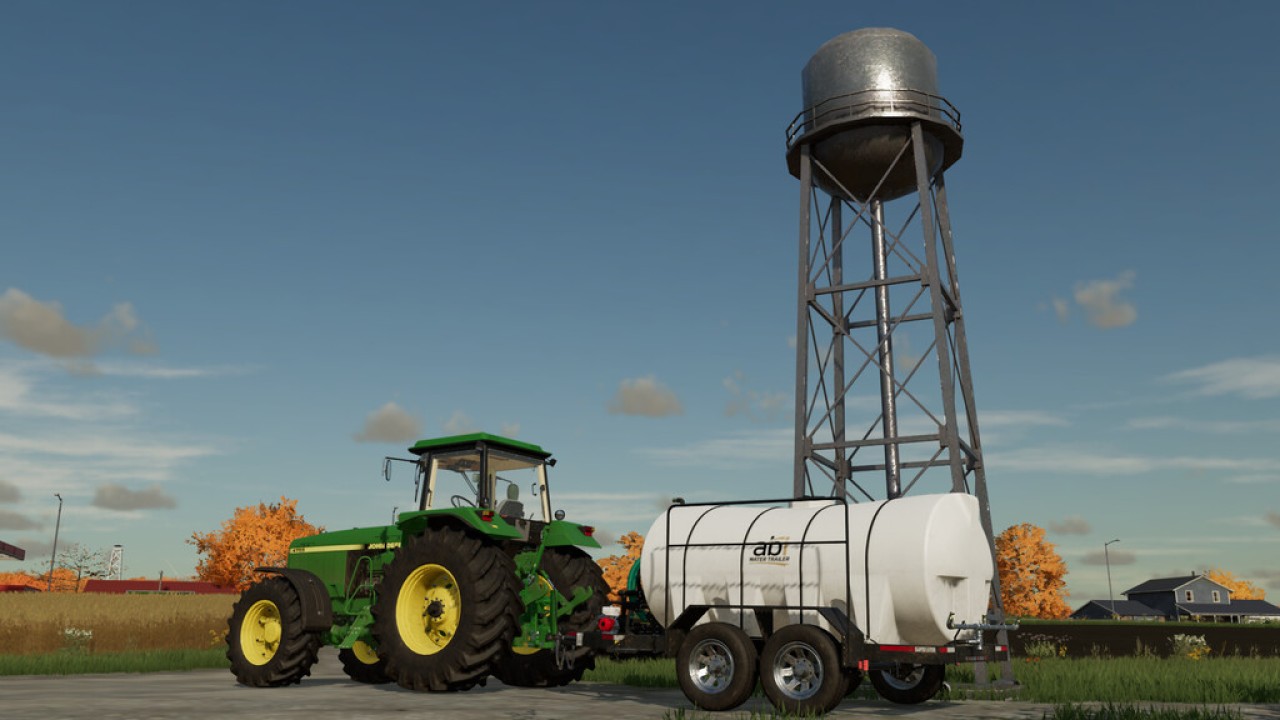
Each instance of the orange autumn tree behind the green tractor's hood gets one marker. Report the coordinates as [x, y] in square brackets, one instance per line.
[254, 537]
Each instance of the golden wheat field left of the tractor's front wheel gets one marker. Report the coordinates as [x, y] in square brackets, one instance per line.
[42, 623]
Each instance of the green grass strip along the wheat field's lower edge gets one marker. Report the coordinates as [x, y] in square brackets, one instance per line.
[77, 663]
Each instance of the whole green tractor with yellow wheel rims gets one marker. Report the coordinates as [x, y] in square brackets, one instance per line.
[470, 585]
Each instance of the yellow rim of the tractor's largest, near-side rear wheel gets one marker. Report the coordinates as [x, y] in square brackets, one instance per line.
[428, 609]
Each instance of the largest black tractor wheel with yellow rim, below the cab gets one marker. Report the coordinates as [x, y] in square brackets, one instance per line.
[447, 609]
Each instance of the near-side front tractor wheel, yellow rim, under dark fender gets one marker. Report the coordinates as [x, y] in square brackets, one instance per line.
[266, 641]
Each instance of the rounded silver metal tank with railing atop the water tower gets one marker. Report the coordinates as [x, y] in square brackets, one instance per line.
[862, 92]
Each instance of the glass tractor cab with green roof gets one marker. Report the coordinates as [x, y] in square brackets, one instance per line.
[487, 472]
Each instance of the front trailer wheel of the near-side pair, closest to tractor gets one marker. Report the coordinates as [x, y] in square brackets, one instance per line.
[716, 667]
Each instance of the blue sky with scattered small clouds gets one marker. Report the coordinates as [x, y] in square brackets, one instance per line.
[250, 249]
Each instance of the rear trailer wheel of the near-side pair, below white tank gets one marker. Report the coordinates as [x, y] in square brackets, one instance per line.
[801, 671]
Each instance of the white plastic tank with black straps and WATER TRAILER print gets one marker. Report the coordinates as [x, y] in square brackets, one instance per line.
[908, 564]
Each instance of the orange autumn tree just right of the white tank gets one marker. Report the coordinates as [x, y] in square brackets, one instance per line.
[1031, 575]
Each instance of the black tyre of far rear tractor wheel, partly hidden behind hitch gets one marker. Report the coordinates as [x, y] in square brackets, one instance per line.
[568, 569]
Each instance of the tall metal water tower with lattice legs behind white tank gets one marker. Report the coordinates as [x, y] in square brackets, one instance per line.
[880, 330]
